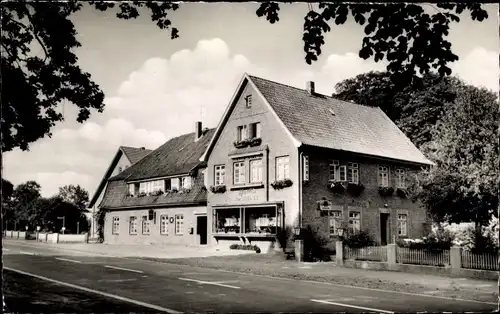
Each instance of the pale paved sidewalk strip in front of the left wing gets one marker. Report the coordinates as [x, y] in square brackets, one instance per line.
[117, 250]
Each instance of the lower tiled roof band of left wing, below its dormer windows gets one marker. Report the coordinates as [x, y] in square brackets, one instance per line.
[116, 197]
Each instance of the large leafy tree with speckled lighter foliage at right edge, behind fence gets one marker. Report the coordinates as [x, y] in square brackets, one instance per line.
[463, 186]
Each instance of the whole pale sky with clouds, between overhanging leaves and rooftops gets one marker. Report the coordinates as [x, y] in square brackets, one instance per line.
[156, 88]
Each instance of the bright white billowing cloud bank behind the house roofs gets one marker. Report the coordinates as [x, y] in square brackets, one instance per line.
[165, 96]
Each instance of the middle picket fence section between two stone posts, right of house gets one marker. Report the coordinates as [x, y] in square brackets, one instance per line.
[423, 257]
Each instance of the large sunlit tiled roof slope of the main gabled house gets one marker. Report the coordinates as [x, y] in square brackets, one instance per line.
[323, 121]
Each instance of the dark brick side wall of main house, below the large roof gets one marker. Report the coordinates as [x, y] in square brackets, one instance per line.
[370, 203]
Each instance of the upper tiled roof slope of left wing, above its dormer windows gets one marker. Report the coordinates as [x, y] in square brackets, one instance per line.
[177, 156]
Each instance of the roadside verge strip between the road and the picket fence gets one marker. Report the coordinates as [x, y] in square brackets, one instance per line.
[275, 265]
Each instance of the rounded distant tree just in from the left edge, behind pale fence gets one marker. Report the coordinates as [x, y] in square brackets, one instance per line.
[24, 203]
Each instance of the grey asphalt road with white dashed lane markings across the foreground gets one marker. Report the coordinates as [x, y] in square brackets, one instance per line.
[176, 288]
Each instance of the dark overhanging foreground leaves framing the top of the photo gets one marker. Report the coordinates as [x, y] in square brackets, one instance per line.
[411, 40]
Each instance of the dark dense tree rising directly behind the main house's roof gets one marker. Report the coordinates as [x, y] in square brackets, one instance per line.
[415, 107]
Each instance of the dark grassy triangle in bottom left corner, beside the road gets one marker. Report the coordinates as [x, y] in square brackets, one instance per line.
[26, 294]
